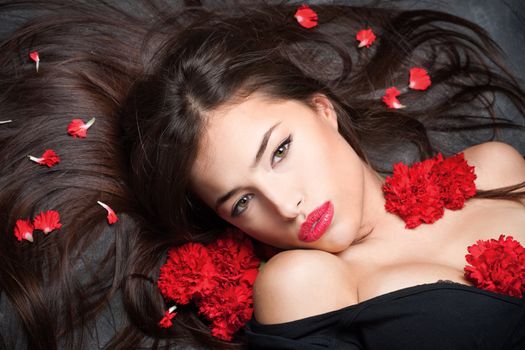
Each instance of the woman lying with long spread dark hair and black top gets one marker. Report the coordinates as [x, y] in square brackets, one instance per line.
[250, 119]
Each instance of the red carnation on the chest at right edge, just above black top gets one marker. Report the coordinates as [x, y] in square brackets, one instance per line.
[497, 266]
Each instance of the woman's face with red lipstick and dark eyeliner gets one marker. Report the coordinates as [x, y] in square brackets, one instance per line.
[265, 165]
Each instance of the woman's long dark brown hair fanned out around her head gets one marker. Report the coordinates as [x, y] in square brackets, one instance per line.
[150, 75]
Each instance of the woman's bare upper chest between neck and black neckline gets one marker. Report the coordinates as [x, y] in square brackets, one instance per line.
[434, 252]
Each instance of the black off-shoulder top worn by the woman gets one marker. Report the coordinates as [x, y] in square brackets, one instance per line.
[441, 315]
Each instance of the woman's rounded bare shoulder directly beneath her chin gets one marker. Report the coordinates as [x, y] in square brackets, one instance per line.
[296, 284]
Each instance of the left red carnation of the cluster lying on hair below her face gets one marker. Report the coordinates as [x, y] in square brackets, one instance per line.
[188, 273]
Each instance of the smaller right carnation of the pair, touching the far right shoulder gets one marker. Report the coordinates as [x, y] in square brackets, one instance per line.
[457, 181]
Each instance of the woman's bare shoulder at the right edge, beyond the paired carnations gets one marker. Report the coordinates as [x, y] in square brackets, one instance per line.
[497, 164]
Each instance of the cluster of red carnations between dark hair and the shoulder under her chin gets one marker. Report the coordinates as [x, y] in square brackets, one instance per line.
[217, 278]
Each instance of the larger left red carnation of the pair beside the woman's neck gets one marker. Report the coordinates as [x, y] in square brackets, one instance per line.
[414, 193]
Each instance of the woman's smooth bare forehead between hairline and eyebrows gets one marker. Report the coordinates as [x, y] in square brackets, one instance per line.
[232, 137]
